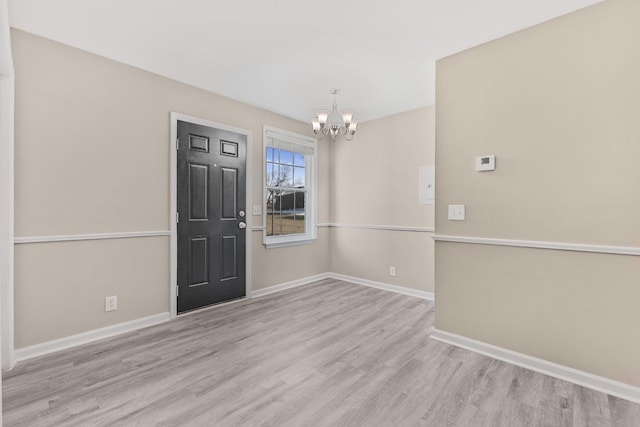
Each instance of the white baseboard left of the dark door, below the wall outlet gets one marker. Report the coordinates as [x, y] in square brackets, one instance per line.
[89, 336]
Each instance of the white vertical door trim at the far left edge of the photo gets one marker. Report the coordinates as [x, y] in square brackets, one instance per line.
[7, 91]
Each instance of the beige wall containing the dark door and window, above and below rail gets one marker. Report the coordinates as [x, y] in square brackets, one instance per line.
[92, 156]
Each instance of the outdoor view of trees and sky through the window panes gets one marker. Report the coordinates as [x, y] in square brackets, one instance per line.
[286, 192]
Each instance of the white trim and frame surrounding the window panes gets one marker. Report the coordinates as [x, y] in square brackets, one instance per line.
[312, 167]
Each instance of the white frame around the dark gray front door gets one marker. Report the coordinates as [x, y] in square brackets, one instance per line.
[173, 202]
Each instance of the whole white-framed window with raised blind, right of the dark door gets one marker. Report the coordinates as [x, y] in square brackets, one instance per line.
[289, 189]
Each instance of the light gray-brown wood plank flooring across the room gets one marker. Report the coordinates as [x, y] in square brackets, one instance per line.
[329, 354]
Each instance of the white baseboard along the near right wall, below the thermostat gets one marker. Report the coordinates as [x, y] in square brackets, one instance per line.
[595, 382]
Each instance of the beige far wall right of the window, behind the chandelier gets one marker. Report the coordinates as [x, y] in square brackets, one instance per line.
[375, 183]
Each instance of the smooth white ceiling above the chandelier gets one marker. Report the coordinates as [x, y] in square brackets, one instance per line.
[285, 55]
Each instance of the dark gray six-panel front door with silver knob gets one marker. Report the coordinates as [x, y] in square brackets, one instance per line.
[211, 216]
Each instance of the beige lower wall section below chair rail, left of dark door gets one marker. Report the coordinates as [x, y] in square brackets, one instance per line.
[60, 287]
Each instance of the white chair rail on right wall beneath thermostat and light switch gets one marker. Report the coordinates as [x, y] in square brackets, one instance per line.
[576, 247]
